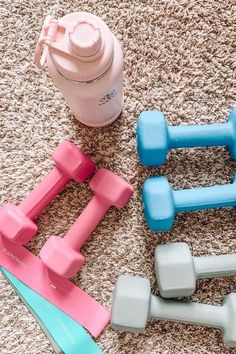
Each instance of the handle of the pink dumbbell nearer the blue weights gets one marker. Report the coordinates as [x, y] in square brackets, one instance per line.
[86, 222]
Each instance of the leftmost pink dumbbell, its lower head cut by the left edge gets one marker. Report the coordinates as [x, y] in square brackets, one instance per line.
[16, 221]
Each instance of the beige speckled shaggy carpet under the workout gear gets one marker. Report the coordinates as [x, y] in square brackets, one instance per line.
[179, 58]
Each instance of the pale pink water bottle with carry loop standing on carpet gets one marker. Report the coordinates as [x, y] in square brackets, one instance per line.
[85, 62]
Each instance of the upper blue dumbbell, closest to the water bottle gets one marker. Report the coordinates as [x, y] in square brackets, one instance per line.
[155, 137]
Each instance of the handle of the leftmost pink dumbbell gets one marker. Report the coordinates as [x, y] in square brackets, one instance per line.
[44, 193]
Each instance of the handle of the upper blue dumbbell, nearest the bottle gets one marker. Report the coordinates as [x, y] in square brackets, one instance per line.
[200, 135]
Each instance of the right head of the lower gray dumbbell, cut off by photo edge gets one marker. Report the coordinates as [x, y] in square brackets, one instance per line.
[229, 335]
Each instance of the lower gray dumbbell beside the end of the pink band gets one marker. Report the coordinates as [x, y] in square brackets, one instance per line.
[133, 305]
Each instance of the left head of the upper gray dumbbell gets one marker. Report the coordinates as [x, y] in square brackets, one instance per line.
[175, 270]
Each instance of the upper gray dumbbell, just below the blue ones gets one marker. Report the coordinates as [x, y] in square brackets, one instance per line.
[177, 271]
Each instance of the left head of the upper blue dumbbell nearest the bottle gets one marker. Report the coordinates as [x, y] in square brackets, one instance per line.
[152, 138]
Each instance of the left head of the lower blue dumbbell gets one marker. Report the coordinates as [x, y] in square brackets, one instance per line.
[158, 201]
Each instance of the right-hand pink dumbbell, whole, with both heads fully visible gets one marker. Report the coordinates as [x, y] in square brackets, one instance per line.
[62, 255]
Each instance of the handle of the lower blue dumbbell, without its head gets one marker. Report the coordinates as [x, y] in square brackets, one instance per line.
[205, 198]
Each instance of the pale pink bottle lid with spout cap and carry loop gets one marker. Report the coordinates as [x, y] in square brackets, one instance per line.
[80, 45]
